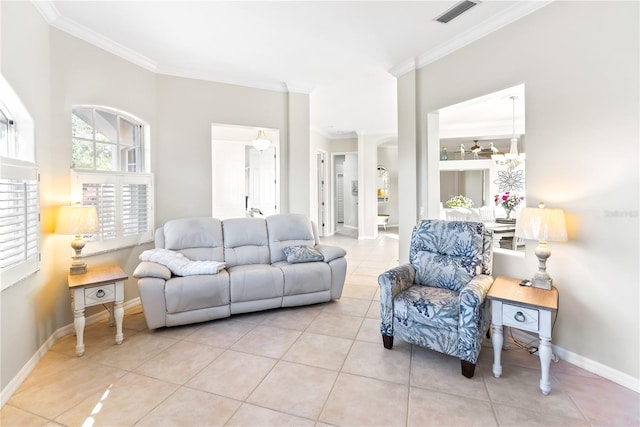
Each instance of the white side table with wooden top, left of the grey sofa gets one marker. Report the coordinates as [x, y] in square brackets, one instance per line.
[98, 285]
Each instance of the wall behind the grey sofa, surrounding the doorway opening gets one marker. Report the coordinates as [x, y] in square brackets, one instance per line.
[186, 108]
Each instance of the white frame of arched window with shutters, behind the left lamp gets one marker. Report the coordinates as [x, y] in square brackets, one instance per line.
[118, 239]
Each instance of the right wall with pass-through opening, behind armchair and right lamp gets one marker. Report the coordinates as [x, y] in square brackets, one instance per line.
[582, 115]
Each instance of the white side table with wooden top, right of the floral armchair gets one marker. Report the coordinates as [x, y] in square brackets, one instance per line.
[526, 308]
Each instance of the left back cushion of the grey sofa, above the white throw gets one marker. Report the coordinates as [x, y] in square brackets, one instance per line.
[197, 238]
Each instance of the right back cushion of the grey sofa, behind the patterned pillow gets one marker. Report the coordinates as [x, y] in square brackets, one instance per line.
[288, 230]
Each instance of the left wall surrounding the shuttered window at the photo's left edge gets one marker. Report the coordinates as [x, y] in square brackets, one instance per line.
[30, 303]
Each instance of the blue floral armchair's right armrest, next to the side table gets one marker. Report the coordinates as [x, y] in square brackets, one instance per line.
[472, 313]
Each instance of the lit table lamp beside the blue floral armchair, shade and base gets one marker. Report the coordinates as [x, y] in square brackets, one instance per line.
[544, 225]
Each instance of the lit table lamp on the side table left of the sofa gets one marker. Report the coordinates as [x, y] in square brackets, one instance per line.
[77, 220]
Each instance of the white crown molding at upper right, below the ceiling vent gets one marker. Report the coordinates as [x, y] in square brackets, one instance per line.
[505, 17]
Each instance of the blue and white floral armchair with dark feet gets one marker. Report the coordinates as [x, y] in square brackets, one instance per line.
[438, 300]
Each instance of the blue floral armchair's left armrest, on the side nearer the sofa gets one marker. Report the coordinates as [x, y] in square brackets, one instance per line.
[392, 282]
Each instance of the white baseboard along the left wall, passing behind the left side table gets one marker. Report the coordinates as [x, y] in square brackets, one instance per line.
[15, 383]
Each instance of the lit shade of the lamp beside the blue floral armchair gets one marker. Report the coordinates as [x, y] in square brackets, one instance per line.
[542, 224]
